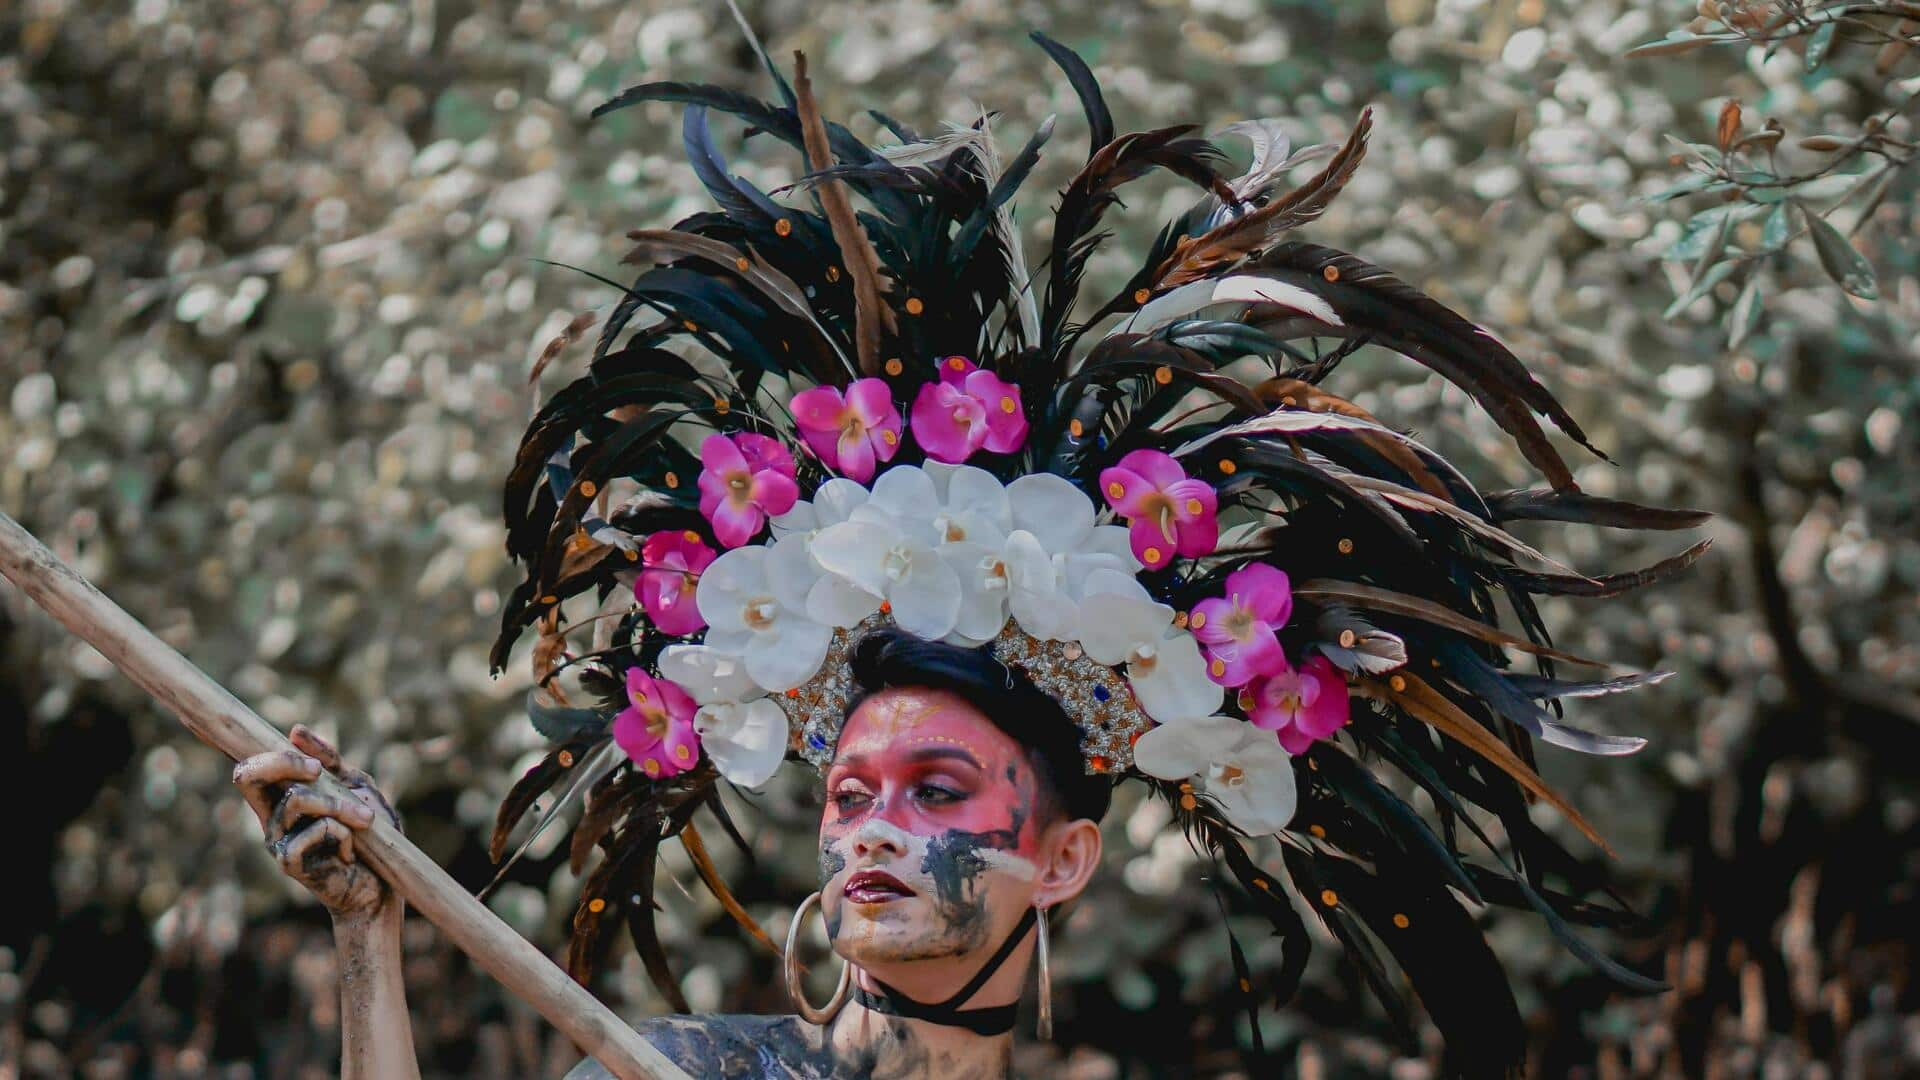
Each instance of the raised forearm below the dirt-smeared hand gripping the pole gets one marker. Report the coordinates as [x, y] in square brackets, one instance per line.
[375, 1033]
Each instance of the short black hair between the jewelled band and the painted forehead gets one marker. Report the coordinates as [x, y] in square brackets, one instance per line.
[1028, 716]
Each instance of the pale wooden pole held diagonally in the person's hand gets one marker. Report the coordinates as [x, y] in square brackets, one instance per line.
[224, 724]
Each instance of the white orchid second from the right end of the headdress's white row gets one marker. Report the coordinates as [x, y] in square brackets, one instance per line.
[1122, 624]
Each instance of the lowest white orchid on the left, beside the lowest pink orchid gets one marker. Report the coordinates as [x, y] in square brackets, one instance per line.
[742, 729]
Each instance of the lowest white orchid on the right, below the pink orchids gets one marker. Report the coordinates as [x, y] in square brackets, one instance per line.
[1237, 766]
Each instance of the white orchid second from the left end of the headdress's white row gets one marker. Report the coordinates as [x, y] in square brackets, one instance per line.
[748, 618]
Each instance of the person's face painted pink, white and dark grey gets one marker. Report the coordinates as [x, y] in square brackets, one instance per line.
[928, 845]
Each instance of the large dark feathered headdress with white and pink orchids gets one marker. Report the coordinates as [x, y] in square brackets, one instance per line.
[861, 406]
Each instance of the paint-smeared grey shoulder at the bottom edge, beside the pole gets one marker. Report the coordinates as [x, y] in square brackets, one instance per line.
[748, 1048]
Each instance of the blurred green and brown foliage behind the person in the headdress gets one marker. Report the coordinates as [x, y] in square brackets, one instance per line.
[268, 308]
